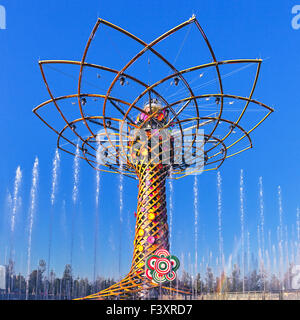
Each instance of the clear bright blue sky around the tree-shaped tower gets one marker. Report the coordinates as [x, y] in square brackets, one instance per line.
[59, 30]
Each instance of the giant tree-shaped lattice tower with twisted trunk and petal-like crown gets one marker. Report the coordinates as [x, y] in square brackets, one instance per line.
[125, 154]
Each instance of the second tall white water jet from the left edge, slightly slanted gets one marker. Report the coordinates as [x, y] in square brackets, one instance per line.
[33, 196]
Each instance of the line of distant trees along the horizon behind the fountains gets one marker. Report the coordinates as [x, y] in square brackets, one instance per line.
[40, 285]
